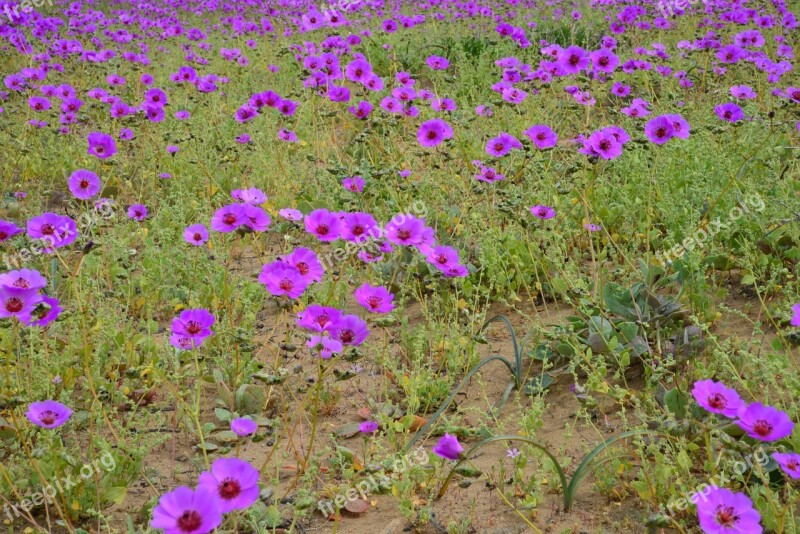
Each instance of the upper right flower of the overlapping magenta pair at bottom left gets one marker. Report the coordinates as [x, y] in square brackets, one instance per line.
[234, 481]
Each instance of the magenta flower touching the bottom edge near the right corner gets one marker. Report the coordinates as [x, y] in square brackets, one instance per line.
[722, 511]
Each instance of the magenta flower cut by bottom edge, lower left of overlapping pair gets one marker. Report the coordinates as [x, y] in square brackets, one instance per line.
[184, 511]
